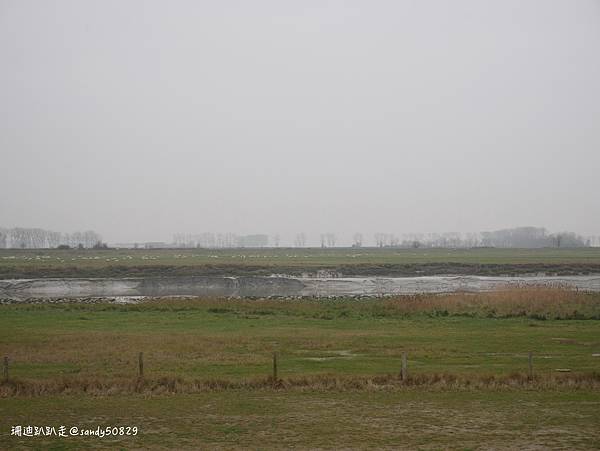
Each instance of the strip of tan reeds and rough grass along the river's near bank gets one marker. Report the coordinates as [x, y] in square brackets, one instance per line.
[537, 303]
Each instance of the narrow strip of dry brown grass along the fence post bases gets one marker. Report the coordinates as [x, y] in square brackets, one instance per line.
[178, 385]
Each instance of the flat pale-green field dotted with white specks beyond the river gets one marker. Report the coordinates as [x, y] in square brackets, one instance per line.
[366, 261]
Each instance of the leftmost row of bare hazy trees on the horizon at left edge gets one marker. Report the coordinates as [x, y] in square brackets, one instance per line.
[35, 238]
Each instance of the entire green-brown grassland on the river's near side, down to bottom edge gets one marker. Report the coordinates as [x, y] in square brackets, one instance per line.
[208, 371]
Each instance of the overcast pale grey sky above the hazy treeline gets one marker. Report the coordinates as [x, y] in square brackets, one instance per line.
[139, 119]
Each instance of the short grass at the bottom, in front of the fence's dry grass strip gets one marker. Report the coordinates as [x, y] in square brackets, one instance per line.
[409, 419]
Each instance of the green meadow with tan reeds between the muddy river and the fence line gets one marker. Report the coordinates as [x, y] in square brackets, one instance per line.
[469, 336]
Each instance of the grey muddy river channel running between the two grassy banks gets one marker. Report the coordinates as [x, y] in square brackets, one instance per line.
[276, 286]
